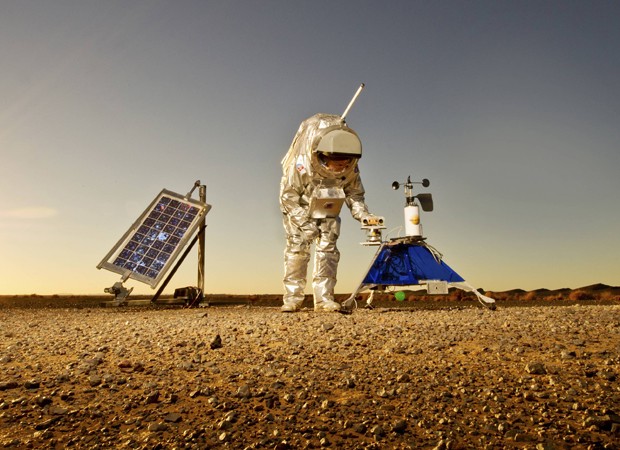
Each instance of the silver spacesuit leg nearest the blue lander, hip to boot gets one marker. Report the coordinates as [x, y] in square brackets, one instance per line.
[326, 257]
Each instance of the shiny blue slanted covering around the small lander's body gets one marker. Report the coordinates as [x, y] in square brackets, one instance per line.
[405, 265]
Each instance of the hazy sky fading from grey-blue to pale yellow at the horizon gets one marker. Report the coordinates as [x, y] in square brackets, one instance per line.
[510, 109]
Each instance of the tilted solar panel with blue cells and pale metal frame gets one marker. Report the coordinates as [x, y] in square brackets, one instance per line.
[151, 245]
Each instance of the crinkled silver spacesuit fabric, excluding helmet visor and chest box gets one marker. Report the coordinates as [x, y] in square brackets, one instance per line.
[299, 180]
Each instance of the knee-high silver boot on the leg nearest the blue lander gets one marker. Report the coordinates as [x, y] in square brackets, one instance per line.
[324, 280]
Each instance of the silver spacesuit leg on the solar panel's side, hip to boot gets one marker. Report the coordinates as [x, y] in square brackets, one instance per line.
[296, 258]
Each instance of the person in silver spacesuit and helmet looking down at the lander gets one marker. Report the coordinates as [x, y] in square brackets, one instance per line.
[320, 173]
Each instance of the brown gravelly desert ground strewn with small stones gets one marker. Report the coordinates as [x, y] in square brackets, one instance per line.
[246, 376]
